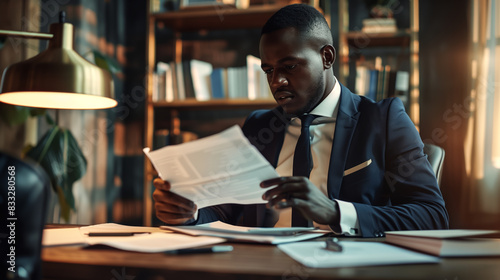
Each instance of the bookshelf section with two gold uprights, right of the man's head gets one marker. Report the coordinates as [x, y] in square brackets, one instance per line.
[403, 42]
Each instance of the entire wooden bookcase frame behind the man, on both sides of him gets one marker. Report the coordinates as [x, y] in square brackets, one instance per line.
[199, 20]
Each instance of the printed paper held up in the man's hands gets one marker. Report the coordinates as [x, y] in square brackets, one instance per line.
[222, 168]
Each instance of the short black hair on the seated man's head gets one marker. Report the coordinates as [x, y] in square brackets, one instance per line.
[302, 17]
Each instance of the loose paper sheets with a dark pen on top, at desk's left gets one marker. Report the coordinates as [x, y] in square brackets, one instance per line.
[157, 241]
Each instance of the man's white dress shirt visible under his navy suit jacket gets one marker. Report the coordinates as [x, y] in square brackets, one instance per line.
[322, 130]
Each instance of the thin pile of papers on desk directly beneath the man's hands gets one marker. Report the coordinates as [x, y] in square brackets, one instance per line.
[247, 234]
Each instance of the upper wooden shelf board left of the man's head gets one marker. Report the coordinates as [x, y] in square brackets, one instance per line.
[214, 17]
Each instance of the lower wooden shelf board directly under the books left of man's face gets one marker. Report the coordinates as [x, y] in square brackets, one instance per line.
[226, 104]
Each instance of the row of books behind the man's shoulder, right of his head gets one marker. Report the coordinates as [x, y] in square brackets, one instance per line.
[380, 81]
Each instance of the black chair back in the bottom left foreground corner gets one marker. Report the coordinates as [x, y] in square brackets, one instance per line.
[24, 194]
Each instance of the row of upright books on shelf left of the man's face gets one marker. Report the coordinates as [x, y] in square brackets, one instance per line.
[195, 79]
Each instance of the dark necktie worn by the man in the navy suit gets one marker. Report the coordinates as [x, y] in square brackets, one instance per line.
[302, 163]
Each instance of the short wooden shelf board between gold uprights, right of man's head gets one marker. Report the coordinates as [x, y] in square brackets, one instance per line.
[360, 39]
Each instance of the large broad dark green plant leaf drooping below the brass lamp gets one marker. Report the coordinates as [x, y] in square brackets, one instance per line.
[61, 157]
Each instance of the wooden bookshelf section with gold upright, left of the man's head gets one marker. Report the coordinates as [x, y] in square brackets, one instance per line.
[184, 21]
